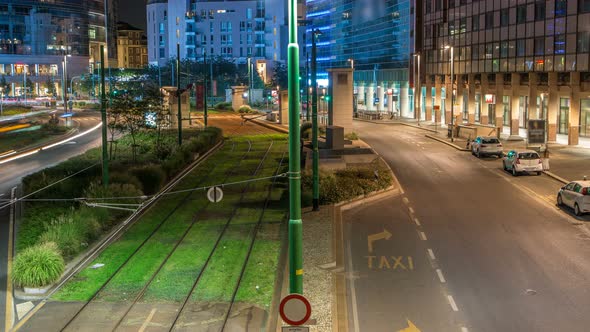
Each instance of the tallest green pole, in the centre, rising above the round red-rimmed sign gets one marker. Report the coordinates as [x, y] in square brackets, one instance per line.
[295, 223]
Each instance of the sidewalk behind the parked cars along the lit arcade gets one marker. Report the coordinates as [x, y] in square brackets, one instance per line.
[567, 163]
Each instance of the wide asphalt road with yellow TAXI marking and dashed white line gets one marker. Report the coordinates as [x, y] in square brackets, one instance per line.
[502, 256]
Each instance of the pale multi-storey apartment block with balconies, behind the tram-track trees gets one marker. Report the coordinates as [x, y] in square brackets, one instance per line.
[231, 29]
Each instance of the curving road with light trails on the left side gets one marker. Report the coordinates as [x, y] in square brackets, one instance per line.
[12, 172]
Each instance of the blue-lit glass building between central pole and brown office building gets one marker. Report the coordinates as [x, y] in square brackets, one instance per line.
[374, 37]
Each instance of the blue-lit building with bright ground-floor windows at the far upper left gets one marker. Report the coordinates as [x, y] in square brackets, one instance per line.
[39, 39]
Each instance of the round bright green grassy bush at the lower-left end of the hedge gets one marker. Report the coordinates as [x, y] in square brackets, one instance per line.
[38, 266]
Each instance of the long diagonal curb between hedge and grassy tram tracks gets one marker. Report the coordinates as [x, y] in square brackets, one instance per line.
[78, 263]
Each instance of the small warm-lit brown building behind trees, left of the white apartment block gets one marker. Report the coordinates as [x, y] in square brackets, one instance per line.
[131, 47]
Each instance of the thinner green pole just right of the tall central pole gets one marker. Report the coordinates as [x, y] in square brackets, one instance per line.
[314, 123]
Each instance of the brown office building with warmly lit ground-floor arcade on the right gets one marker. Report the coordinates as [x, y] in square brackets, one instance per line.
[514, 61]
